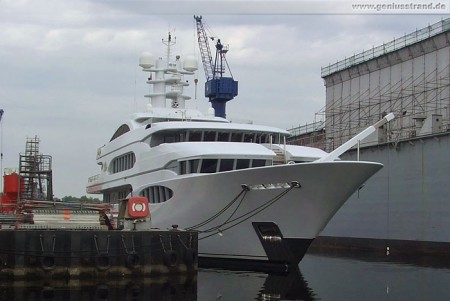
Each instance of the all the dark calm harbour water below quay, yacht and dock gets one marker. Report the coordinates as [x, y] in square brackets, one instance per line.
[319, 278]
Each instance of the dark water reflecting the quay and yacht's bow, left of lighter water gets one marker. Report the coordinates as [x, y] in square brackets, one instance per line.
[207, 285]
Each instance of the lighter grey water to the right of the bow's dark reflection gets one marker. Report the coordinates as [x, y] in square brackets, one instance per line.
[376, 278]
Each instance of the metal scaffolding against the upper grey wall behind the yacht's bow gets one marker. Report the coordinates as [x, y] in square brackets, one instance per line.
[412, 100]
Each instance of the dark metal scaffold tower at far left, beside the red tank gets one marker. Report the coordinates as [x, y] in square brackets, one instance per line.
[35, 172]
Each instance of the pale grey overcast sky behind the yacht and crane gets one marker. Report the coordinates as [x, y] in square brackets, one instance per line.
[69, 69]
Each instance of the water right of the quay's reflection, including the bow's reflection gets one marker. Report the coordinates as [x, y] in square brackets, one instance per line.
[329, 278]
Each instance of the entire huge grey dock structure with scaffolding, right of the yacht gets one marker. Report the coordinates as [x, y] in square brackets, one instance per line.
[404, 207]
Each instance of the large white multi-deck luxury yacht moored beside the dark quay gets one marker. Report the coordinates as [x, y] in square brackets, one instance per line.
[249, 194]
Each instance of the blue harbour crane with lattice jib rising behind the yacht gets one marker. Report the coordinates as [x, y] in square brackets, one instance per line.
[218, 88]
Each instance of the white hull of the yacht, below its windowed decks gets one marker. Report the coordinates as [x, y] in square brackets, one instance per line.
[301, 213]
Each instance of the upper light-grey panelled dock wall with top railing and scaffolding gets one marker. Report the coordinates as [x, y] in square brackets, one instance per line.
[362, 90]
